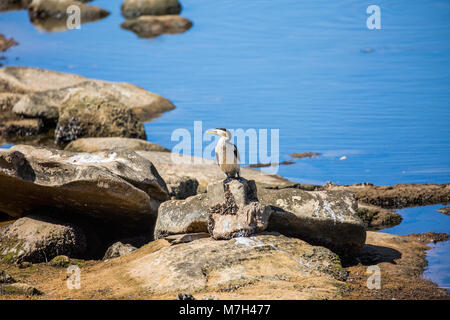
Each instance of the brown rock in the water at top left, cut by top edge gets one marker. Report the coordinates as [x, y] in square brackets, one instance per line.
[51, 15]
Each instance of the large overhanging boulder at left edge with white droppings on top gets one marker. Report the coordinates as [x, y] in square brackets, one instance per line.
[119, 187]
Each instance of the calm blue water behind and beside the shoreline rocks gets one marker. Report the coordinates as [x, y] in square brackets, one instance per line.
[311, 69]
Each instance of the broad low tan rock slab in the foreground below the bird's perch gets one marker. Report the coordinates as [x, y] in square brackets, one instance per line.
[263, 261]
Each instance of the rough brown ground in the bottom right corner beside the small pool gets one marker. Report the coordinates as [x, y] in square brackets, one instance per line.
[402, 260]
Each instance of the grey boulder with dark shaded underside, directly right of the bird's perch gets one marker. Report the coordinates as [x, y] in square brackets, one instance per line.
[327, 218]
